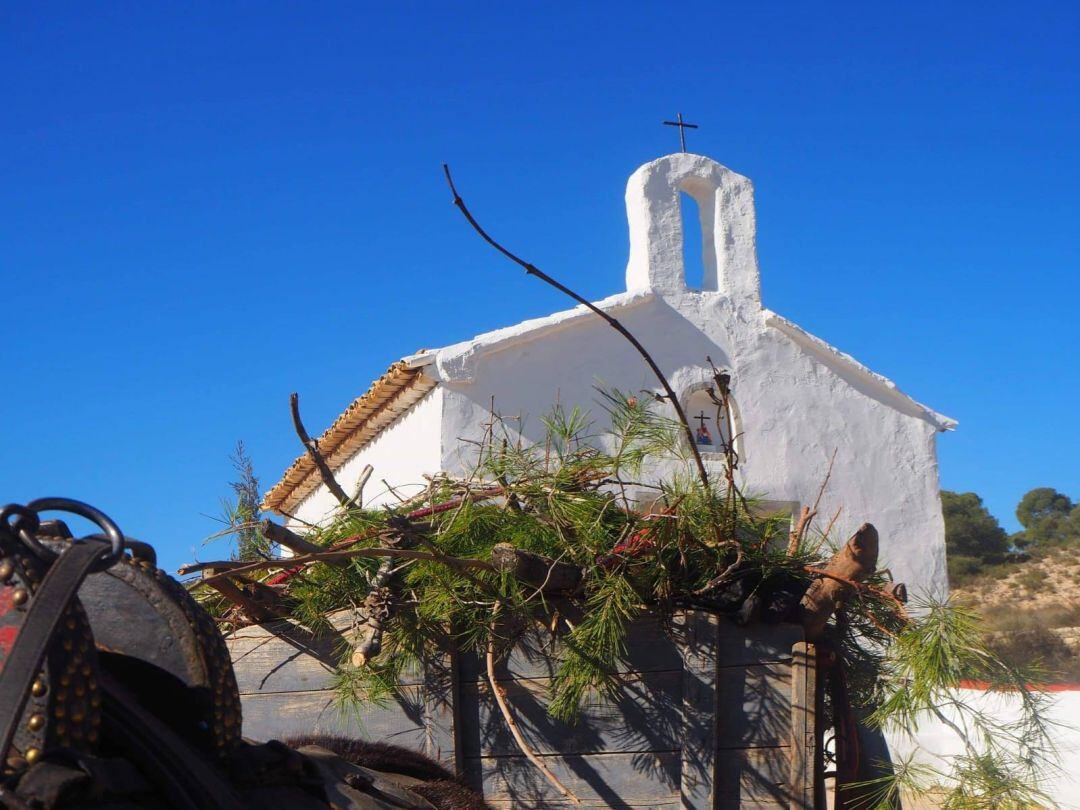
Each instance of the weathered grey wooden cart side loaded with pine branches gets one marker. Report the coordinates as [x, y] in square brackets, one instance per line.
[709, 715]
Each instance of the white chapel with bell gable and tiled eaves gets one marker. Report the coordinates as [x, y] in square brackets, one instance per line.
[798, 400]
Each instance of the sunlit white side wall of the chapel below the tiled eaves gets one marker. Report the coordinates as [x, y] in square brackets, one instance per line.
[402, 454]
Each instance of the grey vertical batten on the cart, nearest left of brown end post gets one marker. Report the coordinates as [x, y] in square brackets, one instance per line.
[699, 730]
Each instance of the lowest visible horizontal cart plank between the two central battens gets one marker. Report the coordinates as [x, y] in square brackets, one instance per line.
[649, 779]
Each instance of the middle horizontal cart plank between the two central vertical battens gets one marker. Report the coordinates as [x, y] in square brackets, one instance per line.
[645, 715]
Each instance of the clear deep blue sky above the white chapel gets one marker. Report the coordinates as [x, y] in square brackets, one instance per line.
[206, 208]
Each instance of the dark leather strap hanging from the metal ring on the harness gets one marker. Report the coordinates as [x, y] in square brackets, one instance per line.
[48, 606]
